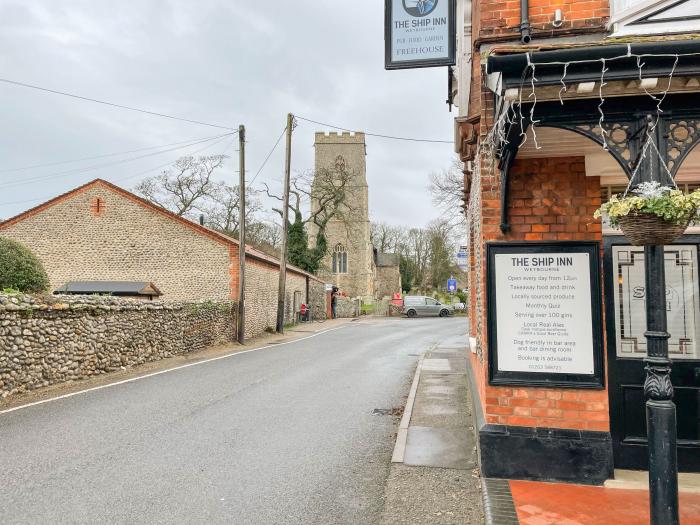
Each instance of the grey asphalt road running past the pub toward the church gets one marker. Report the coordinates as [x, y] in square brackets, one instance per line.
[275, 436]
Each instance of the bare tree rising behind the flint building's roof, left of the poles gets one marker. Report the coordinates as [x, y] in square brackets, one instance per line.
[183, 187]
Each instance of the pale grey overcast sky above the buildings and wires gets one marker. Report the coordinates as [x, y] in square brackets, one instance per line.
[227, 62]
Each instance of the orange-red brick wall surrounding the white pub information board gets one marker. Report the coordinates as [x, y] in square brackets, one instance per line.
[550, 199]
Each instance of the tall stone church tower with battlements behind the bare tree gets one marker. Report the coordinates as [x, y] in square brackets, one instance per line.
[349, 263]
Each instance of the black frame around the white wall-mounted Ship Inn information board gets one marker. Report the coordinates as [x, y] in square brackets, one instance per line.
[547, 379]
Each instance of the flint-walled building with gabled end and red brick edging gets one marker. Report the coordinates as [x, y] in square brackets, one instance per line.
[100, 232]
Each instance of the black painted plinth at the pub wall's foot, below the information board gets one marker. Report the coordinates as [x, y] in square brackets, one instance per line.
[545, 454]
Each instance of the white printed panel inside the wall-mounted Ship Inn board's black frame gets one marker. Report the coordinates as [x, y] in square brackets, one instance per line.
[544, 317]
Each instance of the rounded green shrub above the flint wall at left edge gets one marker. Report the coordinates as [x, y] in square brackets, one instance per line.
[20, 269]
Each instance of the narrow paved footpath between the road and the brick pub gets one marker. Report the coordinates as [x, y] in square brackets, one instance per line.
[434, 478]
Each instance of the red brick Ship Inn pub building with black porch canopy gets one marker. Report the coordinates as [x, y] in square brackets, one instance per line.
[558, 104]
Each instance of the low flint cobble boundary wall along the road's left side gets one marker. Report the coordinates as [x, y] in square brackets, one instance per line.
[55, 339]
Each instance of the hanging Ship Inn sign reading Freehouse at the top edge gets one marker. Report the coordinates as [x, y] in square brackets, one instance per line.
[419, 33]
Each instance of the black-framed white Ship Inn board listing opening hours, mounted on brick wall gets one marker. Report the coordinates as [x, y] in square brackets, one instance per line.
[544, 314]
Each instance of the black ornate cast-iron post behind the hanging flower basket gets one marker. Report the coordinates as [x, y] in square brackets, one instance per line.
[658, 390]
